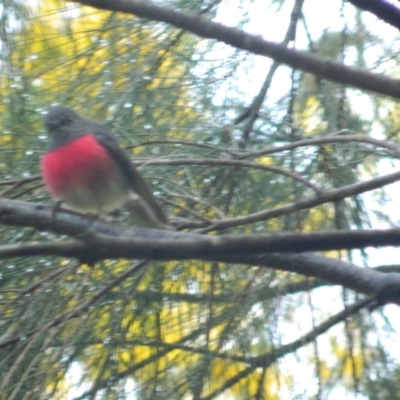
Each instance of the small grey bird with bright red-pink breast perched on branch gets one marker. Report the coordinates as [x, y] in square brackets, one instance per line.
[85, 169]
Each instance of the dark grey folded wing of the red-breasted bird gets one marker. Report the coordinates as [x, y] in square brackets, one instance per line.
[137, 183]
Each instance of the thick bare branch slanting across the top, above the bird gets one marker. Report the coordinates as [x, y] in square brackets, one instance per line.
[201, 26]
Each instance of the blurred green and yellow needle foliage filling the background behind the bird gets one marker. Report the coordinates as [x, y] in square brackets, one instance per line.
[183, 108]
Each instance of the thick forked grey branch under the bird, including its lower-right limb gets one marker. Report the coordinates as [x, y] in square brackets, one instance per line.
[101, 240]
